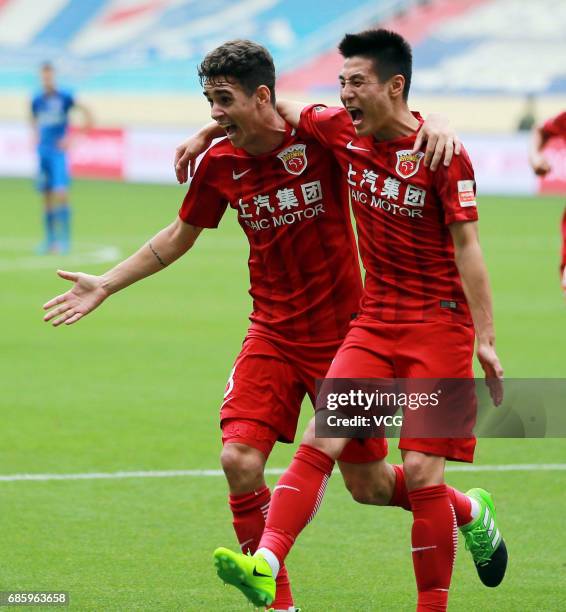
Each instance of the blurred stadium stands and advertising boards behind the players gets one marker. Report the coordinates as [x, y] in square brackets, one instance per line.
[134, 62]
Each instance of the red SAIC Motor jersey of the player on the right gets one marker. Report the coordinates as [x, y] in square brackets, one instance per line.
[402, 211]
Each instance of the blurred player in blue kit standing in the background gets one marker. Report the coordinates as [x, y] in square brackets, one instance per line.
[50, 119]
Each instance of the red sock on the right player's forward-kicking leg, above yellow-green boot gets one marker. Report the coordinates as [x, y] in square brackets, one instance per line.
[296, 499]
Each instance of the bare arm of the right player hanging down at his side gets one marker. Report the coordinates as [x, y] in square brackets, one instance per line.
[471, 266]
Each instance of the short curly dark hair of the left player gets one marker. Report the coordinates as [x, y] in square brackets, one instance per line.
[248, 63]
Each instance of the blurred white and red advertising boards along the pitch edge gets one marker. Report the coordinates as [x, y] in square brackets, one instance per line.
[146, 155]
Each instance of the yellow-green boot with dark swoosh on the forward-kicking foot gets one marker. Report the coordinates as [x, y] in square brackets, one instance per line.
[251, 575]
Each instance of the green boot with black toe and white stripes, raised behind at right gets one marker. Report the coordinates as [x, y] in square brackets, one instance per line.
[484, 541]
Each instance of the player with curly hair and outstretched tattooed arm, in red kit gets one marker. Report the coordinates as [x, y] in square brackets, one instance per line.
[304, 273]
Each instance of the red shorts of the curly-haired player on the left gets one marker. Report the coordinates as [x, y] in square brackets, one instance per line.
[265, 390]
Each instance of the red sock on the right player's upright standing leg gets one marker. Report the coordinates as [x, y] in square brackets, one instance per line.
[434, 538]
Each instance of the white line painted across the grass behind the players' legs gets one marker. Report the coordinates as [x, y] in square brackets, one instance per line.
[518, 467]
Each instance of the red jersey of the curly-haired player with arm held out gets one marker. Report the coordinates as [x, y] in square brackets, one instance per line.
[305, 276]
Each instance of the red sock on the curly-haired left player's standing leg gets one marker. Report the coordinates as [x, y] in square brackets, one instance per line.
[249, 511]
